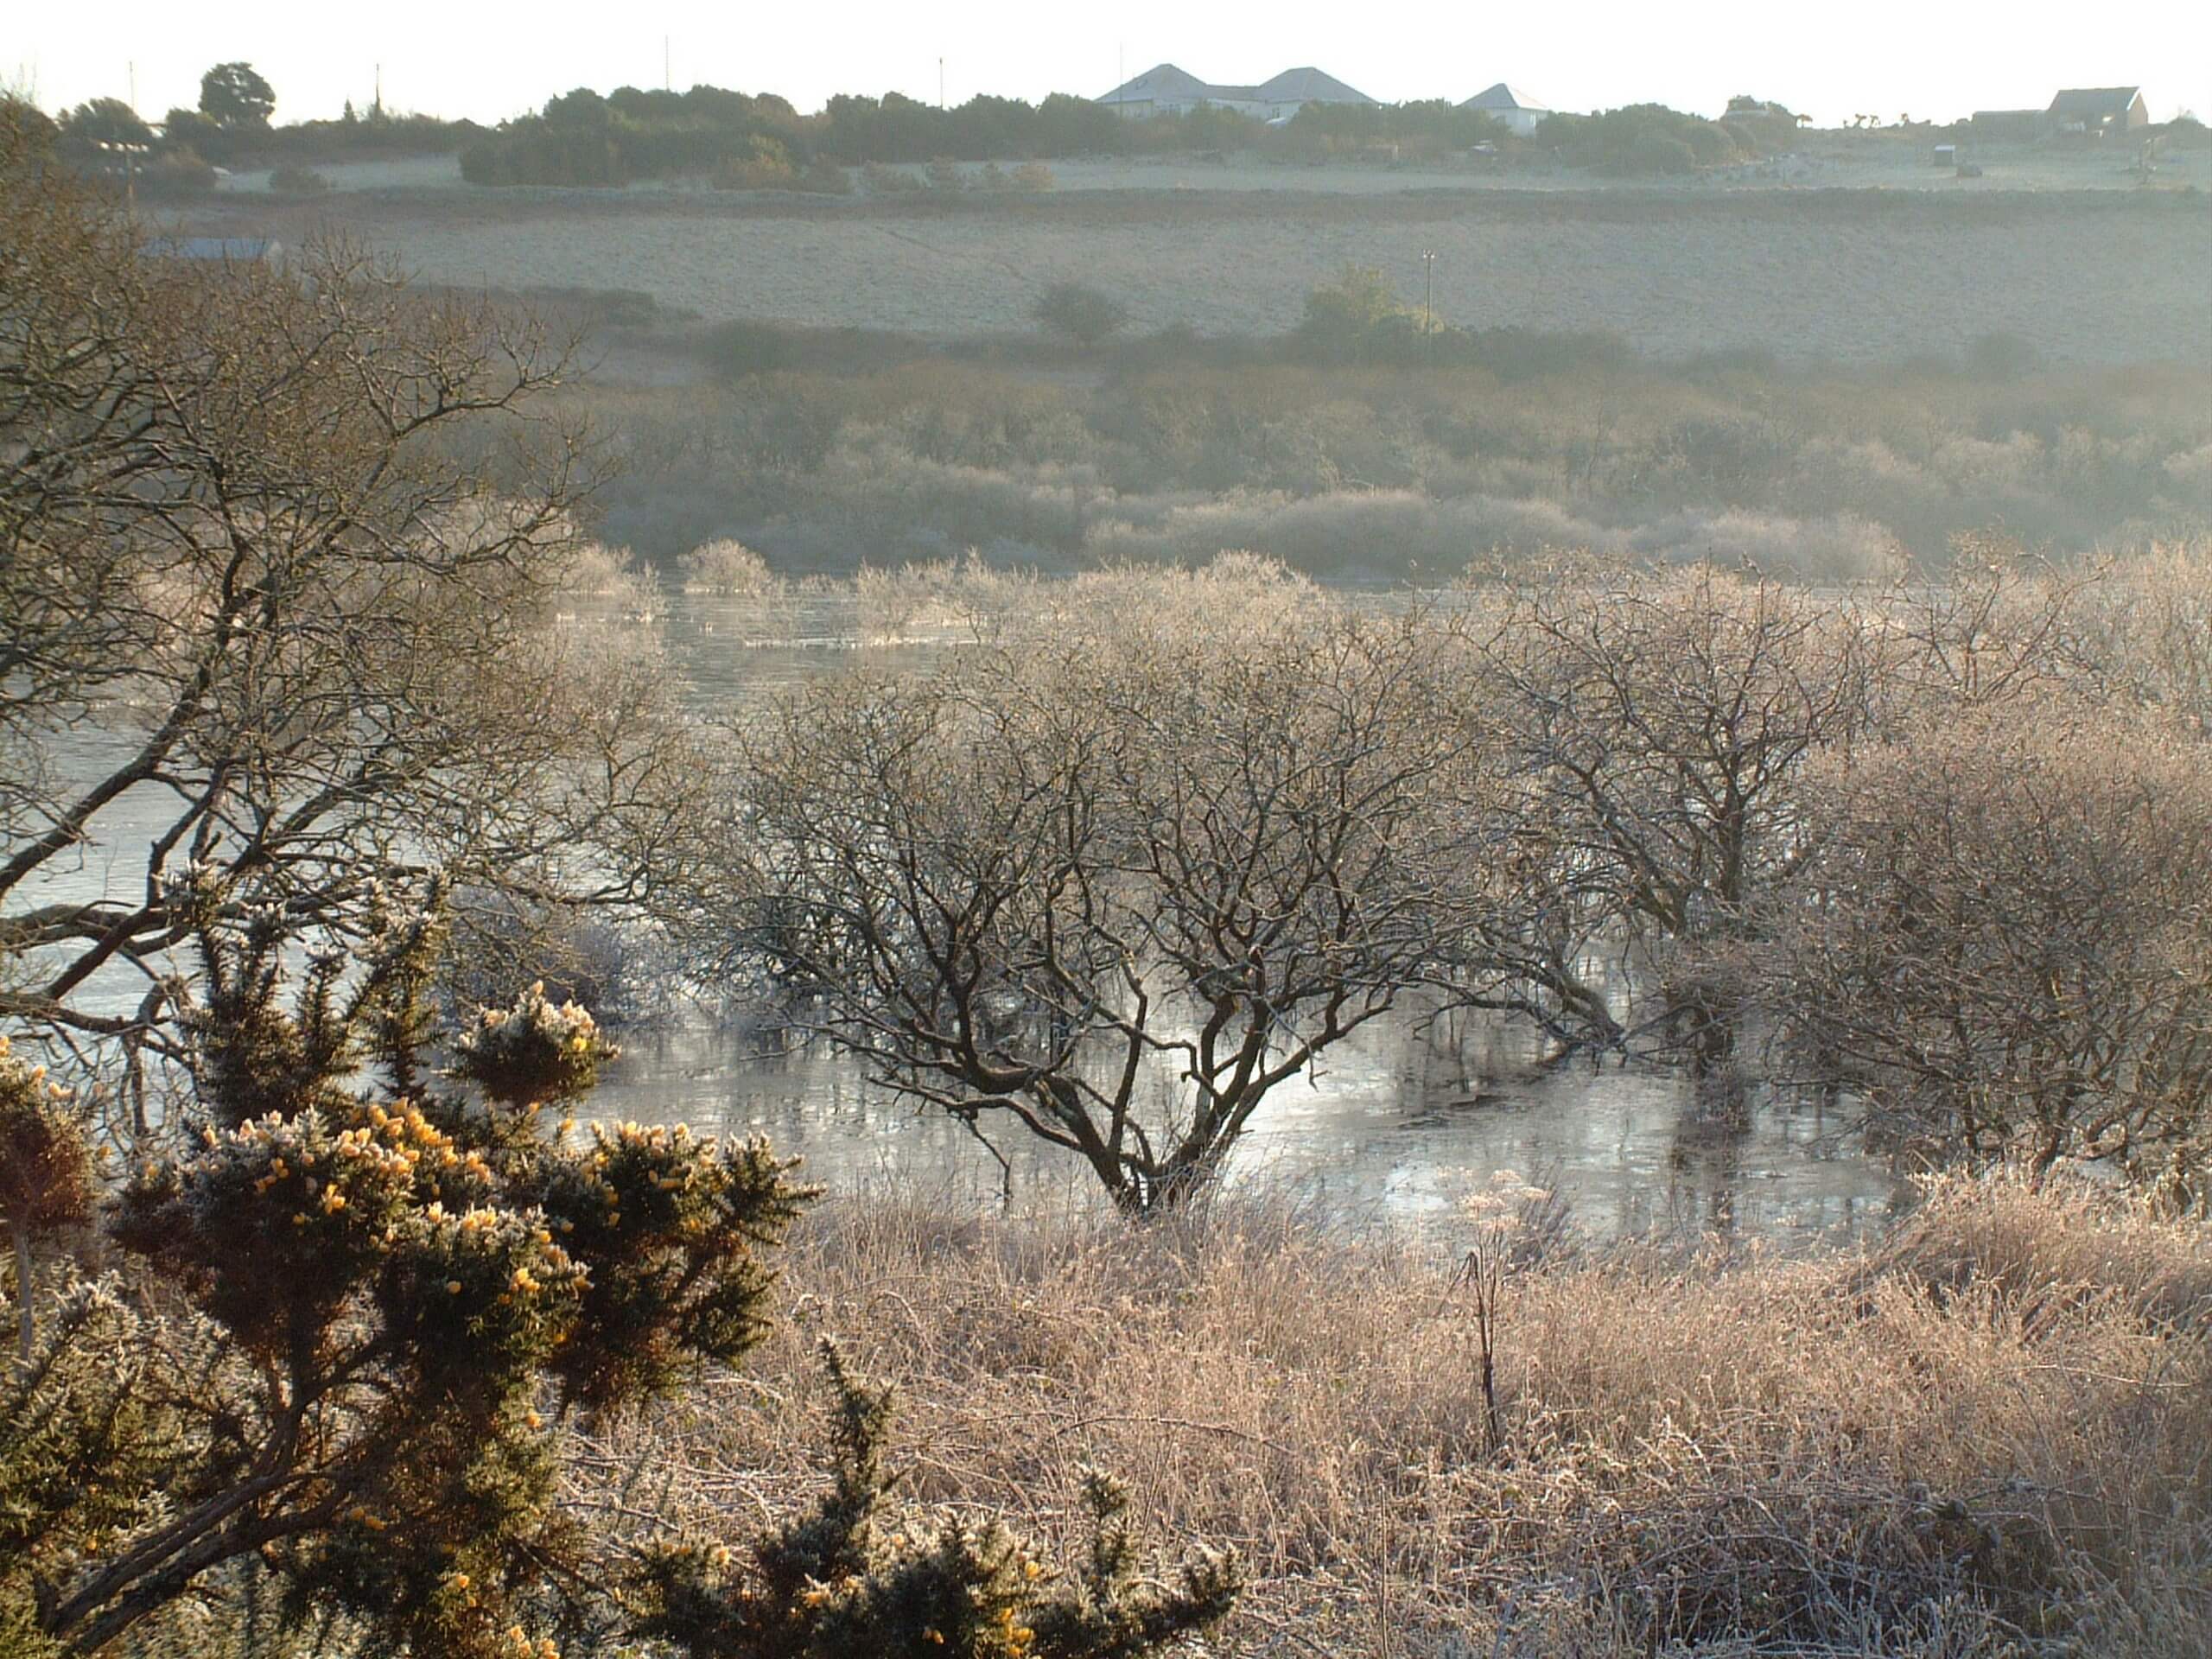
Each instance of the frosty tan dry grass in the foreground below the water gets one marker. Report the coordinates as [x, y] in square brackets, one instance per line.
[1985, 1437]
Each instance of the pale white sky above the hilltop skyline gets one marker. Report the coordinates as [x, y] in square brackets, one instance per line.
[1928, 59]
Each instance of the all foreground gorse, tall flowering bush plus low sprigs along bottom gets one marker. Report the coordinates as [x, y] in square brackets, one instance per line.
[353, 1315]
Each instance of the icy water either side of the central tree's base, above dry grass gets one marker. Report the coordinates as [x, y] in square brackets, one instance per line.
[1397, 1125]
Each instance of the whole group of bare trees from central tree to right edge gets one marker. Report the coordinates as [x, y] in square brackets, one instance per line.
[1930, 844]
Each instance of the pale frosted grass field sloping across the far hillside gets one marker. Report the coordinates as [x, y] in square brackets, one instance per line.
[1857, 278]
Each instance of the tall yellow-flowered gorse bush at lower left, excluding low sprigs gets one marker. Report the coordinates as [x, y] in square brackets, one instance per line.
[384, 1293]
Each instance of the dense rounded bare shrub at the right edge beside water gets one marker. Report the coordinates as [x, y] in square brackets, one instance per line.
[2003, 937]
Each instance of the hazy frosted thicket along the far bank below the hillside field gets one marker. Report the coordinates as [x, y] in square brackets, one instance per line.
[1384, 472]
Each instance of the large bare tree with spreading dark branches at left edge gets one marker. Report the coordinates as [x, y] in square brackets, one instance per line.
[267, 612]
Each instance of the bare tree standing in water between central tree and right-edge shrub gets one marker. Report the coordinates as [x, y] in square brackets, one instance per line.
[1658, 724]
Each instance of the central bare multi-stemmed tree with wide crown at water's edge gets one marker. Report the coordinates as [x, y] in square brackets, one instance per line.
[1114, 879]
